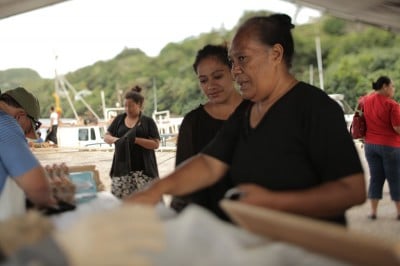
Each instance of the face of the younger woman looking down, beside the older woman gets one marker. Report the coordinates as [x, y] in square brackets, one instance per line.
[215, 79]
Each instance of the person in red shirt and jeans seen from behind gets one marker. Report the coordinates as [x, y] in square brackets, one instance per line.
[382, 142]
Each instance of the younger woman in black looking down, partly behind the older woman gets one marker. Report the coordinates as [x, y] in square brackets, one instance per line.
[200, 125]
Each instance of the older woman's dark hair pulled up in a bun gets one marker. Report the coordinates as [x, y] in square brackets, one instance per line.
[271, 30]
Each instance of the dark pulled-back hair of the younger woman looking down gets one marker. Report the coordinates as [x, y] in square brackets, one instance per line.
[218, 51]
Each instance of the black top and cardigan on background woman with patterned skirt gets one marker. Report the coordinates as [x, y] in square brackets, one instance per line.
[141, 159]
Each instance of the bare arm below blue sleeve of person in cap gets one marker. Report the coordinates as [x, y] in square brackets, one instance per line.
[36, 186]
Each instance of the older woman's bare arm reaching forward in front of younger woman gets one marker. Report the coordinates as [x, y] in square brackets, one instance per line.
[195, 173]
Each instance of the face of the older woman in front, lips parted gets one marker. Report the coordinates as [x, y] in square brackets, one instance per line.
[254, 66]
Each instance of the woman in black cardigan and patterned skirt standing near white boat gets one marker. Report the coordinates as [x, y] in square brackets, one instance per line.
[135, 137]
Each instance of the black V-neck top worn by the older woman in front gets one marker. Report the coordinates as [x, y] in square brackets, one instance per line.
[301, 142]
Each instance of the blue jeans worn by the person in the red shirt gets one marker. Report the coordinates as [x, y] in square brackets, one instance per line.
[384, 164]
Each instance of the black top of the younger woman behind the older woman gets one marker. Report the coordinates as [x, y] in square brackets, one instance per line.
[198, 128]
